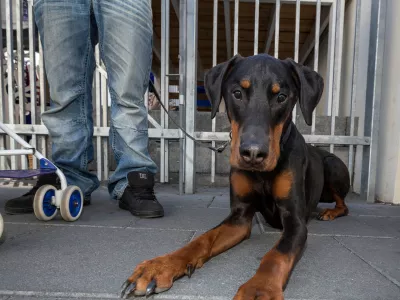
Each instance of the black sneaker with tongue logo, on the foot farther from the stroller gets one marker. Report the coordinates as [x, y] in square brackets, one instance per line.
[139, 196]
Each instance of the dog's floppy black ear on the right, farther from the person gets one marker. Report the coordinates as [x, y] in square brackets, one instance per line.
[311, 86]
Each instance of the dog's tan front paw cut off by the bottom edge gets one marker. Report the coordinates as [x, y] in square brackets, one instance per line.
[259, 288]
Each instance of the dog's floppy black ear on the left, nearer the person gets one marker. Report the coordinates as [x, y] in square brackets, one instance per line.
[213, 80]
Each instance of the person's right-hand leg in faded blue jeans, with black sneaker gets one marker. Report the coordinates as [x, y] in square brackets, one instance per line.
[125, 39]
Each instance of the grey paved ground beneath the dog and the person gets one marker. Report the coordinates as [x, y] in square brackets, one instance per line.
[356, 257]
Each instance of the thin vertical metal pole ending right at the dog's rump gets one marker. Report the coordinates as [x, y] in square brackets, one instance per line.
[353, 100]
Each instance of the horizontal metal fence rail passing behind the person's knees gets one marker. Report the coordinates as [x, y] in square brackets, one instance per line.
[98, 131]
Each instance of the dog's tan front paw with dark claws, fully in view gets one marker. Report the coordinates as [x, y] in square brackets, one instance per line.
[155, 276]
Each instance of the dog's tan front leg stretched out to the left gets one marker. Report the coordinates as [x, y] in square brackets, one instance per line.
[157, 275]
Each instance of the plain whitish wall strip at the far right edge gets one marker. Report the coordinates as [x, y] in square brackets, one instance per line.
[388, 166]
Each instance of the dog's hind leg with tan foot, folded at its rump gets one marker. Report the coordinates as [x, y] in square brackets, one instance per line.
[336, 187]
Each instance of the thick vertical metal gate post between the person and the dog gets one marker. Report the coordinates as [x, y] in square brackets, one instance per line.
[191, 94]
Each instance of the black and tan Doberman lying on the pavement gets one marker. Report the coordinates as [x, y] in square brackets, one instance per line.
[273, 171]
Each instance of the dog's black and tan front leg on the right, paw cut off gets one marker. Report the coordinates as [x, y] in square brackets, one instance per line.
[272, 275]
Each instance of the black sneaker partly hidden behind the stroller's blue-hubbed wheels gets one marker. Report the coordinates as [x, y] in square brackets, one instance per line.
[24, 203]
